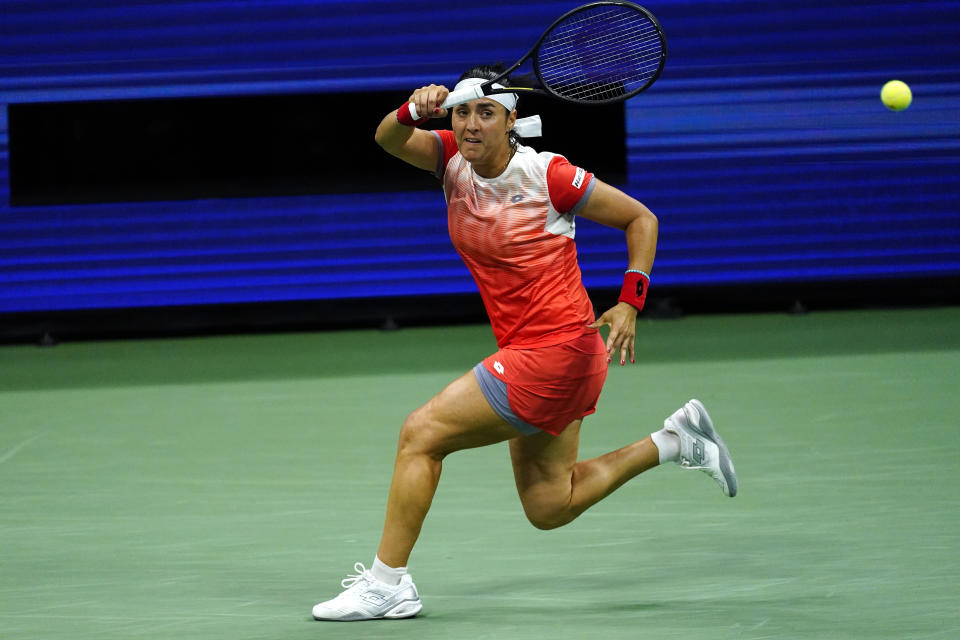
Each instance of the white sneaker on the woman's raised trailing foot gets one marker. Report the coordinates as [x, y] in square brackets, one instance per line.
[701, 446]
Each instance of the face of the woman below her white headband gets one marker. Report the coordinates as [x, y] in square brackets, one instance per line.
[480, 127]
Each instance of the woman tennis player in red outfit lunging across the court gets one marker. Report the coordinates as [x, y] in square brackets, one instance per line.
[511, 216]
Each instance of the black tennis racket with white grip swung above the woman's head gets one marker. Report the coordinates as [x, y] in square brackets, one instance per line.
[598, 53]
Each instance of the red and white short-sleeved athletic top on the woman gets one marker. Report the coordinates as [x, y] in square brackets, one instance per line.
[515, 234]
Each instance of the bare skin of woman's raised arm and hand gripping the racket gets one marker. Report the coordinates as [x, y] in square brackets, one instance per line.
[412, 145]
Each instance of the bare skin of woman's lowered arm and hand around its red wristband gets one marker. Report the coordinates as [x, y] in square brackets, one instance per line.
[611, 207]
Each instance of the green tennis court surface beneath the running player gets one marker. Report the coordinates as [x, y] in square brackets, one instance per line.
[219, 487]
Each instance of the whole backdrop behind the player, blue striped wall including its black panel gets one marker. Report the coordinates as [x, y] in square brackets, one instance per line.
[764, 150]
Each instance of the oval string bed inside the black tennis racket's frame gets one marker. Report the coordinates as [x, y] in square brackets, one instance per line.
[600, 54]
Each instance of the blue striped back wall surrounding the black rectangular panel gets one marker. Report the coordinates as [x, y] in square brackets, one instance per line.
[763, 149]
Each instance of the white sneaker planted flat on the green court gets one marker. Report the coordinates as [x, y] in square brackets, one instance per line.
[366, 598]
